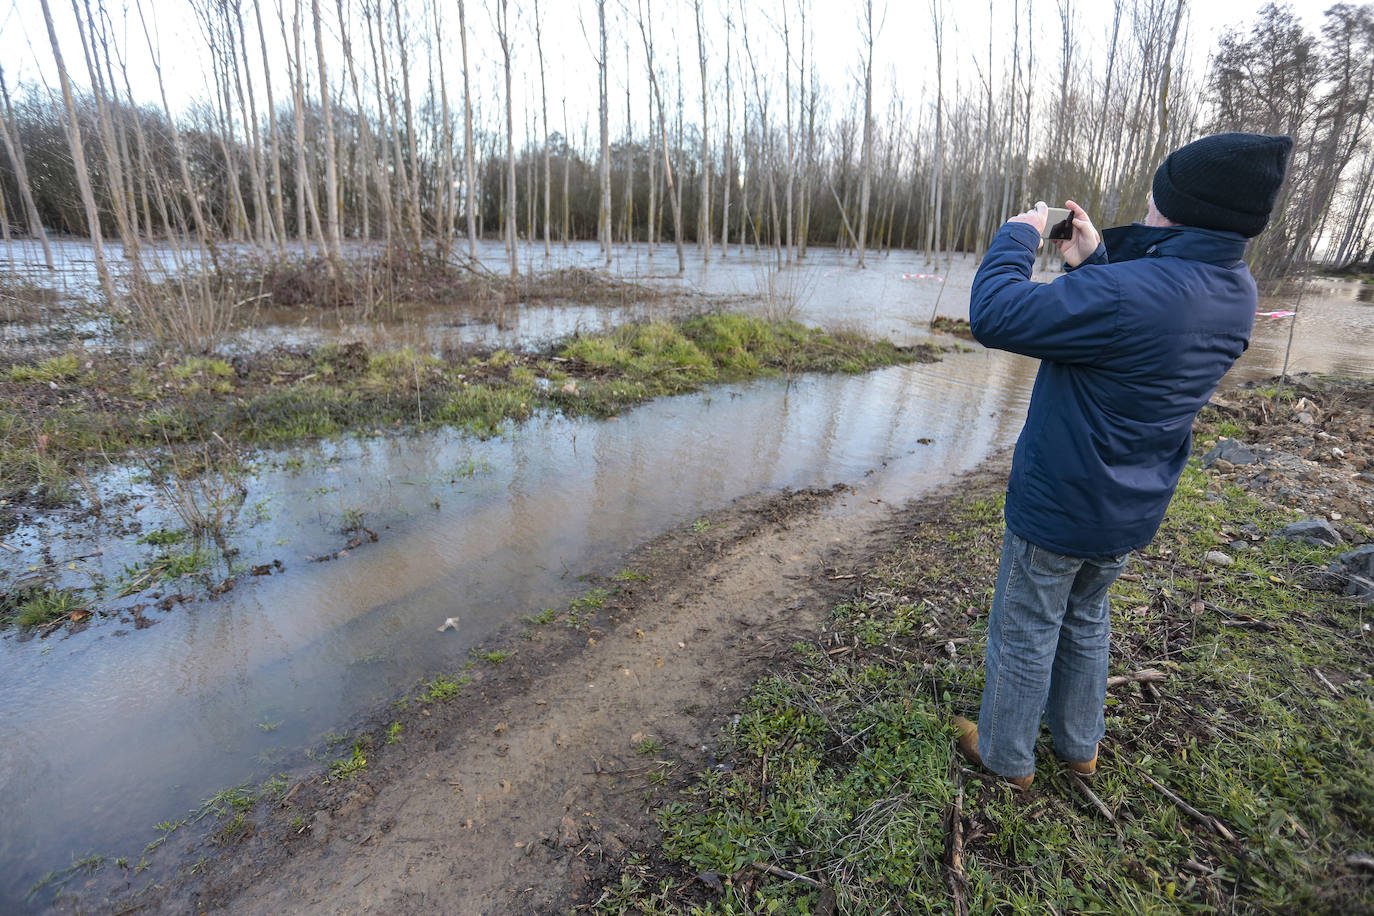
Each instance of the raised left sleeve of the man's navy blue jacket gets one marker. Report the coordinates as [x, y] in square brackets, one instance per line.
[1071, 321]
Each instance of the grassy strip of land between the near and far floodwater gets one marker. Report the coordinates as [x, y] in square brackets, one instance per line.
[117, 407]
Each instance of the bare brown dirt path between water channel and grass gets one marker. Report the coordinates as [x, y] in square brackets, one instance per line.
[517, 796]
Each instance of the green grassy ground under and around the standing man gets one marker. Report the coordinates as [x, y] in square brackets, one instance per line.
[843, 771]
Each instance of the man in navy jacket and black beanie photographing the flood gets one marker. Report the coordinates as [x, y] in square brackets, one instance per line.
[1133, 343]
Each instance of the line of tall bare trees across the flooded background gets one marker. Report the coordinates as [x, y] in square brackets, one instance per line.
[366, 122]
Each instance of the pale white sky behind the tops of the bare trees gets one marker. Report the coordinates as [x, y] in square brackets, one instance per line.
[905, 54]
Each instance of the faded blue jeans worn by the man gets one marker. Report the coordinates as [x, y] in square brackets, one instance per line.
[1048, 653]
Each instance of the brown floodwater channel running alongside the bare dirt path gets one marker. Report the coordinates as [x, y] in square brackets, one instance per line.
[108, 735]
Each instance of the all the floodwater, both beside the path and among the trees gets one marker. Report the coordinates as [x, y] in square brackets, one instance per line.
[113, 730]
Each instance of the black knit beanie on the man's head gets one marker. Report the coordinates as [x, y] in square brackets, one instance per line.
[1224, 182]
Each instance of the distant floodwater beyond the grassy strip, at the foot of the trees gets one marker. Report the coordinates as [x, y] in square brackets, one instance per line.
[897, 297]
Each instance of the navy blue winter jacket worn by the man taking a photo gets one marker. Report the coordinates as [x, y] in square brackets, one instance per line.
[1133, 344]
